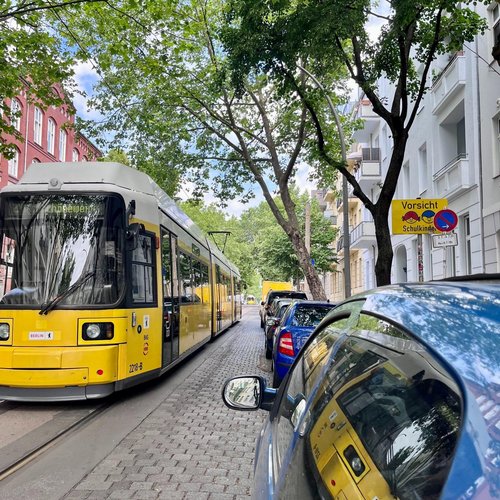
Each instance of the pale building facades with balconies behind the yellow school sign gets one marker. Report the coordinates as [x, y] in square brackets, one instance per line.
[453, 152]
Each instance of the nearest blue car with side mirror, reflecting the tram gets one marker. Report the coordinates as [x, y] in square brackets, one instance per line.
[394, 395]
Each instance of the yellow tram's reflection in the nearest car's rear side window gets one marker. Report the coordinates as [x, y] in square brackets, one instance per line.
[360, 426]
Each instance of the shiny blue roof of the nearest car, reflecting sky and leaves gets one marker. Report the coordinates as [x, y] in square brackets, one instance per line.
[458, 320]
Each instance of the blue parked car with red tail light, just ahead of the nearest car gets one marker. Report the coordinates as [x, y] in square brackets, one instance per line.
[296, 326]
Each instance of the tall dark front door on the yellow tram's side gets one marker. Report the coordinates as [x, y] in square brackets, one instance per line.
[170, 281]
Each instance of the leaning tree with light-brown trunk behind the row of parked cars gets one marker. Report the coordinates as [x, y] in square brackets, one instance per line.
[166, 93]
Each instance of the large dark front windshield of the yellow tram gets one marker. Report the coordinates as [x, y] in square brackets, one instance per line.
[61, 250]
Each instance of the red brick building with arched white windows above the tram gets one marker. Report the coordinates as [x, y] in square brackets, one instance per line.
[48, 135]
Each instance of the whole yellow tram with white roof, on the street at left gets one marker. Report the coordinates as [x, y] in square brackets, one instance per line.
[104, 283]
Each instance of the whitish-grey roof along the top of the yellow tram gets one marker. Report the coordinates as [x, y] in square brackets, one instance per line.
[119, 175]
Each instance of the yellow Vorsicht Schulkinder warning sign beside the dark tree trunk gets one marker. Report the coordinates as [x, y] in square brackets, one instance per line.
[416, 216]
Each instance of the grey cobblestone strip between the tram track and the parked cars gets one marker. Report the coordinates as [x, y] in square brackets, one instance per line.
[191, 446]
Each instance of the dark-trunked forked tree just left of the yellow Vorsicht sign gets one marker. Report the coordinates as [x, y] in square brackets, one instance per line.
[278, 38]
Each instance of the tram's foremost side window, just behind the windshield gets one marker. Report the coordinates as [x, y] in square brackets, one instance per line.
[143, 270]
